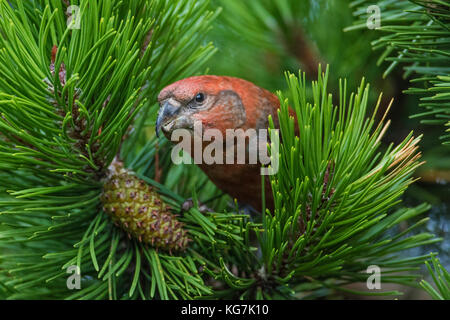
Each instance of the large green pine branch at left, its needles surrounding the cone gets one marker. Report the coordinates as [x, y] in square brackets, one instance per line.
[67, 100]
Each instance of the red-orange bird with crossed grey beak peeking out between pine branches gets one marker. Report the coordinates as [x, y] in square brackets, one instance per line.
[221, 103]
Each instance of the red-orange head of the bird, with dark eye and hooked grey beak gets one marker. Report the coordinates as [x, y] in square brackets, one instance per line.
[217, 102]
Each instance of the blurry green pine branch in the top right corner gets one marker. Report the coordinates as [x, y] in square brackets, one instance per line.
[417, 39]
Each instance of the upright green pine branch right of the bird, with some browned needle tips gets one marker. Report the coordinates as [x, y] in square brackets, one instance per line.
[336, 198]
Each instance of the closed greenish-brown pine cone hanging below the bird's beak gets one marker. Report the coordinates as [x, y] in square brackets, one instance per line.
[138, 209]
